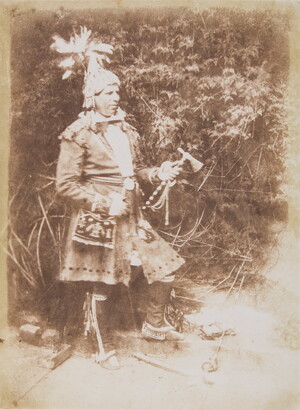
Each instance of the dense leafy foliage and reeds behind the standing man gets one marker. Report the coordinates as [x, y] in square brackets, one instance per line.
[212, 82]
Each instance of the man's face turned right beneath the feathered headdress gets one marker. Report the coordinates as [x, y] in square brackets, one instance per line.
[107, 101]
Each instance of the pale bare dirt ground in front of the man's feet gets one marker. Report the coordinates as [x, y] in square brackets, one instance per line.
[258, 367]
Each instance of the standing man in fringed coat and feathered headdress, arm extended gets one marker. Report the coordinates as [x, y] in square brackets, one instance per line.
[98, 173]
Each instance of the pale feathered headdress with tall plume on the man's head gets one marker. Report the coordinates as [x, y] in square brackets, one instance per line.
[83, 53]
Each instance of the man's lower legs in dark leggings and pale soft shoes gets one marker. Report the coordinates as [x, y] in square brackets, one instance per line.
[99, 326]
